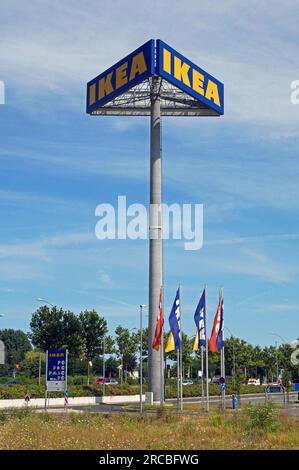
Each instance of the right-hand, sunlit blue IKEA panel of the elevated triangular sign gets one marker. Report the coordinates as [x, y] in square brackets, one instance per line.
[187, 76]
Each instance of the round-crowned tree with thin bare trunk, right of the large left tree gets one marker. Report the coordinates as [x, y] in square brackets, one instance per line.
[93, 330]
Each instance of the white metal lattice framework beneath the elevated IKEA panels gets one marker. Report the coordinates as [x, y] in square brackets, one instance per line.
[137, 102]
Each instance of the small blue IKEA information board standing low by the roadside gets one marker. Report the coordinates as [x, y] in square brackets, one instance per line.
[56, 371]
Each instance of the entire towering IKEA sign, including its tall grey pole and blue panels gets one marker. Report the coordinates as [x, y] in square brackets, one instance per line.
[155, 80]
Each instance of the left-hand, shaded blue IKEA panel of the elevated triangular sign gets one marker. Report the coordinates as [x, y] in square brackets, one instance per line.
[122, 76]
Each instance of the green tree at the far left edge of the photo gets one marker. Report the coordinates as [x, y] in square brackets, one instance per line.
[16, 345]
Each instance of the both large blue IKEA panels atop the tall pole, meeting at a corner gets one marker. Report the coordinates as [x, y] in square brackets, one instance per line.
[155, 58]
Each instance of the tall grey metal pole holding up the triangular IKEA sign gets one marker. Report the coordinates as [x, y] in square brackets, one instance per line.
[155, 242]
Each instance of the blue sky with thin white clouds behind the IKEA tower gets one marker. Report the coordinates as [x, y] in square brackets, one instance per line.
[57, 163]
